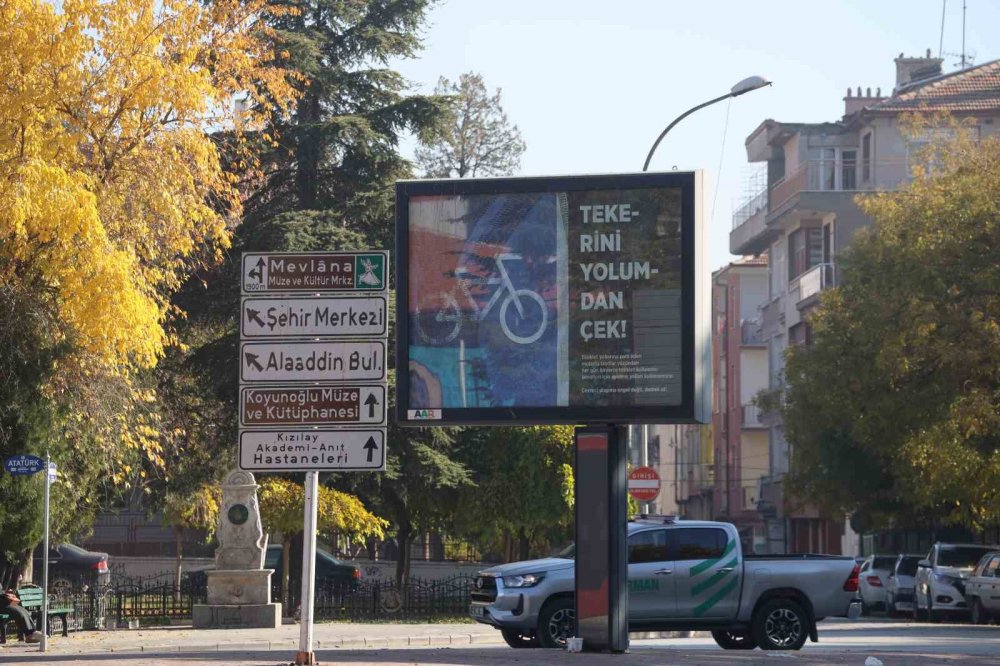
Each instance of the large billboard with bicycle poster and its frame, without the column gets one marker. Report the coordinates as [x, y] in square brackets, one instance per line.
[551, 300]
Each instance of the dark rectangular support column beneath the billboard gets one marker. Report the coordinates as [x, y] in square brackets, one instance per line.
[601, 540]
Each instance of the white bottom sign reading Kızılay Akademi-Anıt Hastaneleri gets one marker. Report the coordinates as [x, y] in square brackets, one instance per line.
[290, 450]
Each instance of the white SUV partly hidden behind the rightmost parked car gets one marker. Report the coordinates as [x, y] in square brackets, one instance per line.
[941, 578]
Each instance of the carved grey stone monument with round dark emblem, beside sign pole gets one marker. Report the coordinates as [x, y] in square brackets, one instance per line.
[239, 588]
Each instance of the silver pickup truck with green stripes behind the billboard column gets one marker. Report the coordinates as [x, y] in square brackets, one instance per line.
[682, 575]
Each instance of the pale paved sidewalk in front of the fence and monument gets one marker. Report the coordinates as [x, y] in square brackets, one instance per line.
[326, 635]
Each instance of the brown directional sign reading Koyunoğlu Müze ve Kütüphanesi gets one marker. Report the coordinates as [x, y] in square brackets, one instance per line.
[319, 404]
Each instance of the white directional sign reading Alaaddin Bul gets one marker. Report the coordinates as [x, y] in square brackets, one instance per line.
[315, 361]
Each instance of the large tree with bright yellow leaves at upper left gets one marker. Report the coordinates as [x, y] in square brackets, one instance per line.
[111, 191]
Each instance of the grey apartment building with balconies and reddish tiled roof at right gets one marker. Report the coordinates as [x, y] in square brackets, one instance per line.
[805, 214]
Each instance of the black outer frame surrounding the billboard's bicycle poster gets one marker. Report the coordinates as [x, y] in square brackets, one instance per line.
[695, 304]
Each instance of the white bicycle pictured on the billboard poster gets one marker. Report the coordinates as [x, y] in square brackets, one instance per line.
[445, 308]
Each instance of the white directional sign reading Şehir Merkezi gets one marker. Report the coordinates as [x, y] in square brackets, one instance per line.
[332, 316]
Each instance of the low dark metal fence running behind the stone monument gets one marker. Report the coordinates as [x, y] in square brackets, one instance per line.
[156, 600]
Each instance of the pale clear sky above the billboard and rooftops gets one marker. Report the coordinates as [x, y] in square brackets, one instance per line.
[591, 84]
